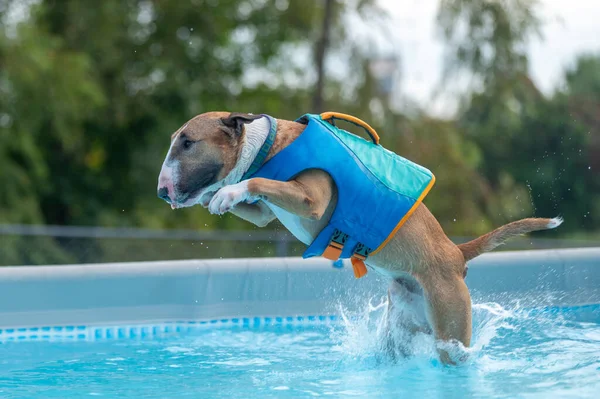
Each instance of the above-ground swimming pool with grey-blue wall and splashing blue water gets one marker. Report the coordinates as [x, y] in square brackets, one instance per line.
[290, 328]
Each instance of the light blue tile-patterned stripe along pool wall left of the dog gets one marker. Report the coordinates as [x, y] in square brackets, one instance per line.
[141, 331]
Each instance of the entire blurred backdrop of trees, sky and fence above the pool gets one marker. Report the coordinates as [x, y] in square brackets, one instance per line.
[499, 99]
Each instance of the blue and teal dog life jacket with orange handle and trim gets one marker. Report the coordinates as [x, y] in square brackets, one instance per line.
[377, 189]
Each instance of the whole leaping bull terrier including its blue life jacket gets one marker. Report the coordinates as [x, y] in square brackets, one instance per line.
[331, 192]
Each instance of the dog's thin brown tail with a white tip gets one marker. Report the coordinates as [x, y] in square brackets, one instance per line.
[491, 240]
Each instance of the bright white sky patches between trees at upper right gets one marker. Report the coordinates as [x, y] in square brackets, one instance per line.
[571, 28]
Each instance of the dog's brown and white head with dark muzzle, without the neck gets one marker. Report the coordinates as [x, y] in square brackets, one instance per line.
[203, 152]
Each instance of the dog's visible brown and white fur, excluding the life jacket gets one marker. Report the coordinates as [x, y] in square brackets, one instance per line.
[209, 155]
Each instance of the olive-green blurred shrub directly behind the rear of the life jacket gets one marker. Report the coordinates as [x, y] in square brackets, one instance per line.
[462, 199]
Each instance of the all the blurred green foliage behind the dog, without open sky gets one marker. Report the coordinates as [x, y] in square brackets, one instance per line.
[91, 91]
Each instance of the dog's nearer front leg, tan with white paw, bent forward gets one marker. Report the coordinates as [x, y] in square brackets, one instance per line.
[306, 196]
